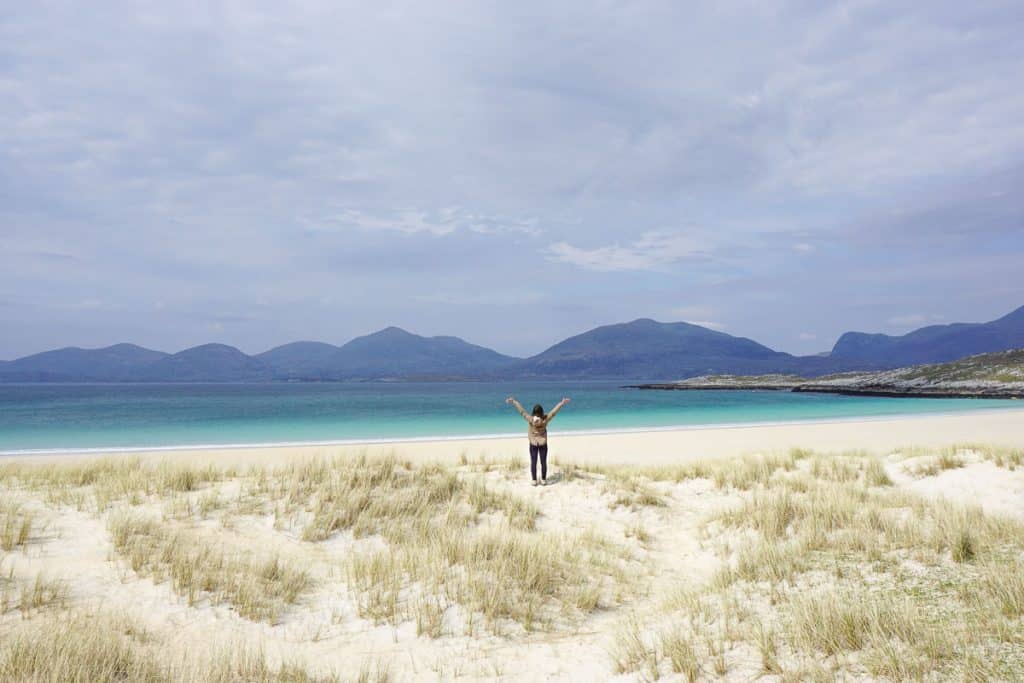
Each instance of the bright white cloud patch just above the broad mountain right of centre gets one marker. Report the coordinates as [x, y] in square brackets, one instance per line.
[653, 251]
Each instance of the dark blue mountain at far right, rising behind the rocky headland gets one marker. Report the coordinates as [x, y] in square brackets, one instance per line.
[936, 344]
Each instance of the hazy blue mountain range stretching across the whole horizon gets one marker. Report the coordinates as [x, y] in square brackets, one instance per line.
[642, 350]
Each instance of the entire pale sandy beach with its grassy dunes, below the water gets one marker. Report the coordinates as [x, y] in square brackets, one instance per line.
[636, 563]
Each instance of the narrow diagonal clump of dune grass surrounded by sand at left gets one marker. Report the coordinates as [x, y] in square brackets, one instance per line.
[260, 590]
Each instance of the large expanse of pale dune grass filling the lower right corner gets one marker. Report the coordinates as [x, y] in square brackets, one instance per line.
[842, 575]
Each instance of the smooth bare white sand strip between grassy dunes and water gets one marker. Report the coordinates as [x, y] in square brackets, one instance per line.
[661, 447]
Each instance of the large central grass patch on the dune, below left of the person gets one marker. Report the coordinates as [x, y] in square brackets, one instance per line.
[449, 540]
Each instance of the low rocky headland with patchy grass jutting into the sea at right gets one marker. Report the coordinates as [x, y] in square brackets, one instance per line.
[998, 375]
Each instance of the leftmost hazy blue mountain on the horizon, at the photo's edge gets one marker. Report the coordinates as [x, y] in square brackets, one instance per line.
[117, 363]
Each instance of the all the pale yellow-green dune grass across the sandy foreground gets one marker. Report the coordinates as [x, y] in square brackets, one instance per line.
[826, 569]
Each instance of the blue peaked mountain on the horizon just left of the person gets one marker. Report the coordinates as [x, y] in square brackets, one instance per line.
[395, 353]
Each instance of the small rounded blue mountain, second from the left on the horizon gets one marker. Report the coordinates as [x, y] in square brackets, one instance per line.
[209, 363]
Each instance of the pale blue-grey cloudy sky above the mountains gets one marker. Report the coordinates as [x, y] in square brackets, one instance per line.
[514, 174]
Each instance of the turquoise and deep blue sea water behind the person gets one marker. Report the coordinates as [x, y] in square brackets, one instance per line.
[82, 417]
